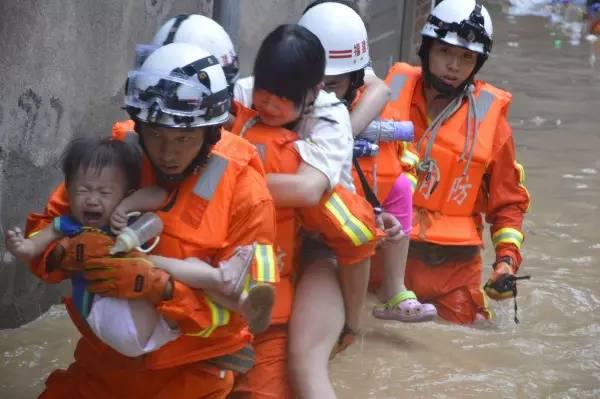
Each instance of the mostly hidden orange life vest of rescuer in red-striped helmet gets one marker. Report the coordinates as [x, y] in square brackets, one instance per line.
[383, 169]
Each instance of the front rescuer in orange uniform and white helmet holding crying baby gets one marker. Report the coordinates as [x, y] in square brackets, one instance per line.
[218, 201]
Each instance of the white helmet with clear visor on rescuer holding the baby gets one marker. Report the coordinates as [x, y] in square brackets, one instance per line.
[178, 85]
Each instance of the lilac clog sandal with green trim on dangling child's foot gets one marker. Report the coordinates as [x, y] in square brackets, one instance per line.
[405, 307]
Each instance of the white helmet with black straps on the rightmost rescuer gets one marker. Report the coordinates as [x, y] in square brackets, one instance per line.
[462, 23]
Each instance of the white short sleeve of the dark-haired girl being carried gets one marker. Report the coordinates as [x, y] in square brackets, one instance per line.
[327, 142]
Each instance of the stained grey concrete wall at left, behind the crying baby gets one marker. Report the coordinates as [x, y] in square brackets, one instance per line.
[63, 66]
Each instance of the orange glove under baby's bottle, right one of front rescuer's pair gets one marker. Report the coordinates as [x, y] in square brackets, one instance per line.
[130, 277]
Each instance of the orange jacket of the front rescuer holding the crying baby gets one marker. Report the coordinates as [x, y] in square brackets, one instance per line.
[203, 219]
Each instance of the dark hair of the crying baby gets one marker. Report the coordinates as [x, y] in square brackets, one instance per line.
[98, 153]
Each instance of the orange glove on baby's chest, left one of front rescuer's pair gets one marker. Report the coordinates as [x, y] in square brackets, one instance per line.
[71, 253]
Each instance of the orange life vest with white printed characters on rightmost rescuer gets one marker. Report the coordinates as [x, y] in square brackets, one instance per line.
[448, 214]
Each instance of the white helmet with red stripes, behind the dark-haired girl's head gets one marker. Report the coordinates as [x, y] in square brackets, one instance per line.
[343, 35]
